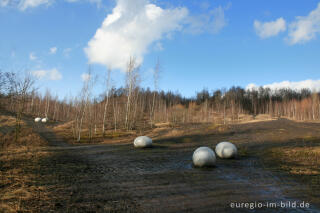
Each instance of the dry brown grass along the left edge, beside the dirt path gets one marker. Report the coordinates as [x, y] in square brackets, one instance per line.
[19, 170]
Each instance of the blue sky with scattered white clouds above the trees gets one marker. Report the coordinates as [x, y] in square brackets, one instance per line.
[200, 44]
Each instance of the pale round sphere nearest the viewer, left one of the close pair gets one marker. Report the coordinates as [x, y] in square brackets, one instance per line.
[204, 156]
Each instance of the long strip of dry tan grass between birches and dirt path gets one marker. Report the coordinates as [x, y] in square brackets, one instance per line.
[167, 129]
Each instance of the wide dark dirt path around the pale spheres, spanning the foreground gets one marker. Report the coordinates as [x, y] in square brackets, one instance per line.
[118, 178]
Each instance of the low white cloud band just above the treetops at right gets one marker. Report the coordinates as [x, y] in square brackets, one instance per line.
[313, 85]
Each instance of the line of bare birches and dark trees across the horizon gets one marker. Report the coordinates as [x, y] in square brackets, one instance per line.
[131, 107]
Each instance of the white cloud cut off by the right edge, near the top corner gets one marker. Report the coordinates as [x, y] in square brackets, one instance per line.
[305, 28]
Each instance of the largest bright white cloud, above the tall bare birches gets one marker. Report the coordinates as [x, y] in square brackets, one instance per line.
[129, 30]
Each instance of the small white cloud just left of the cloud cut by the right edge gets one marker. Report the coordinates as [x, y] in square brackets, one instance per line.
[269, 29]
